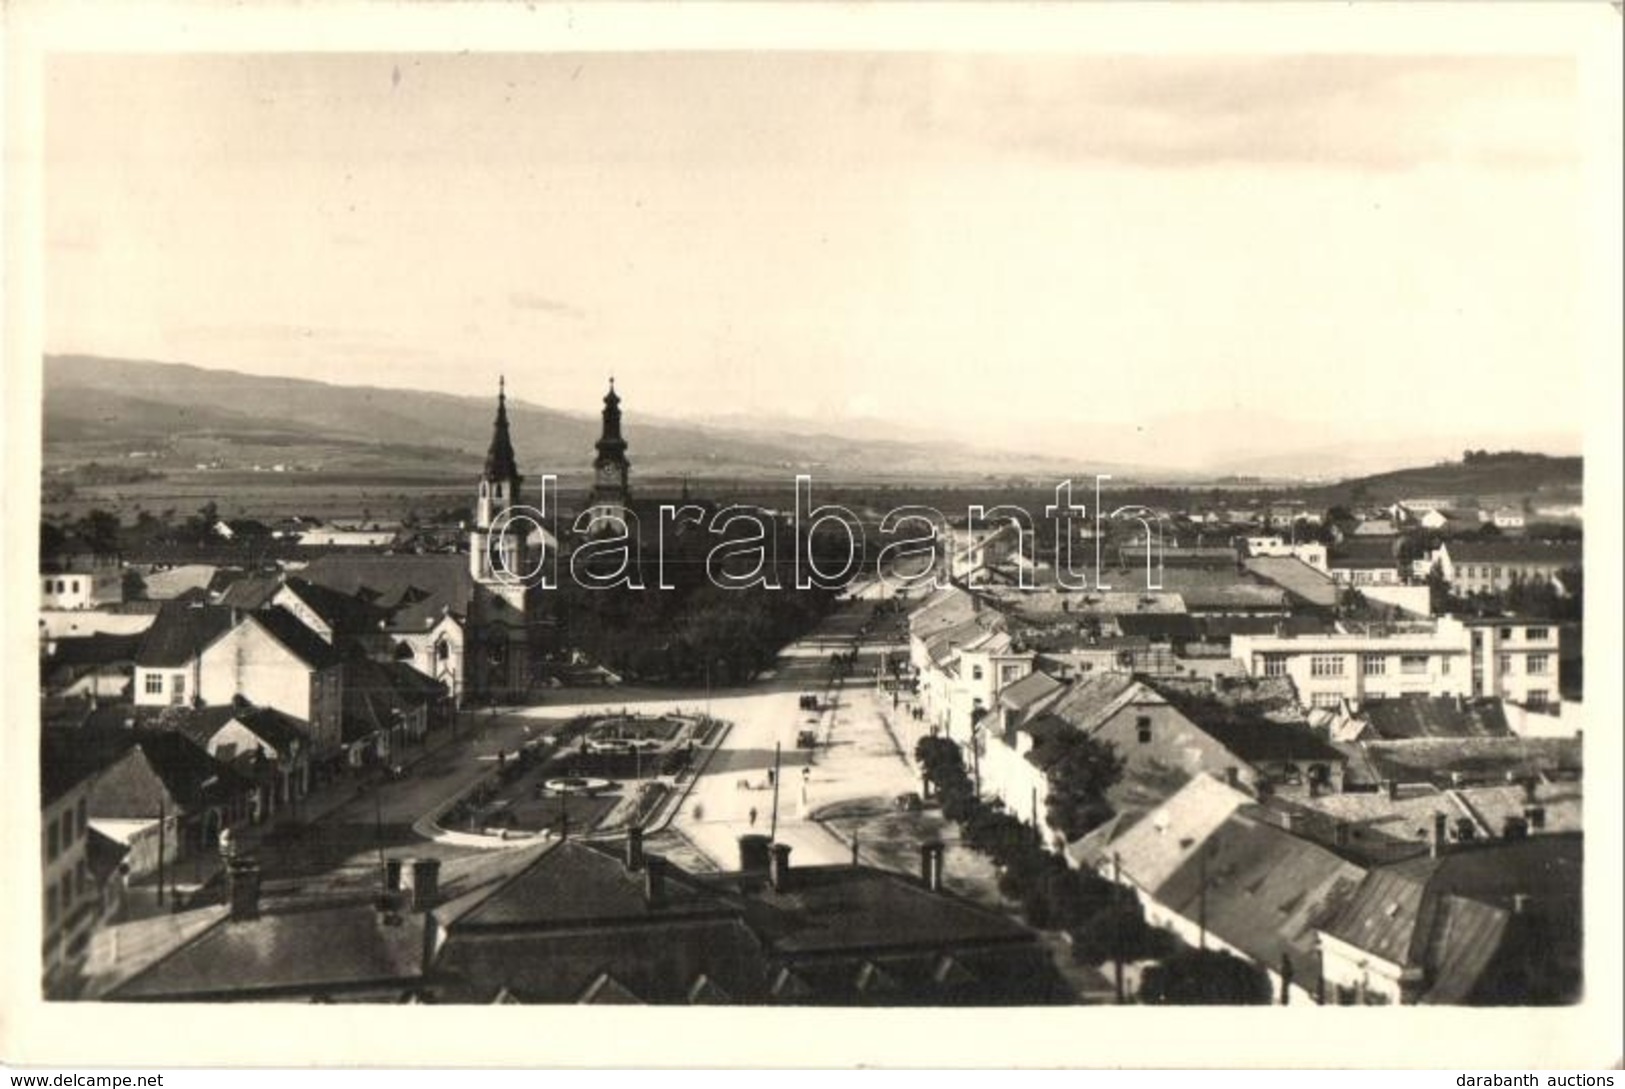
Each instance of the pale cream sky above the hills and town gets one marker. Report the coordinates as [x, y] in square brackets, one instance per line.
[995, 246]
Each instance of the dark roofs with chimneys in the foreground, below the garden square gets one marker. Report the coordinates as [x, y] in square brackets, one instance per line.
[591, 924]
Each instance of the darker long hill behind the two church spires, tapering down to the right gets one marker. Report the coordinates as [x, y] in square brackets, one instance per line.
[180, 414]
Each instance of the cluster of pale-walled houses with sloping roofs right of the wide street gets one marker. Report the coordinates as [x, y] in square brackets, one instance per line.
[1364, 813]
